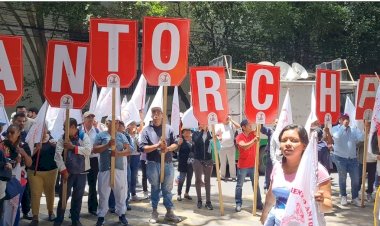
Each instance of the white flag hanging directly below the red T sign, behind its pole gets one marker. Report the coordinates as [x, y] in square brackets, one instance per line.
[104, 103]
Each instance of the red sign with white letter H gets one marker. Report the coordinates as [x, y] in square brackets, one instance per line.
[328, 96]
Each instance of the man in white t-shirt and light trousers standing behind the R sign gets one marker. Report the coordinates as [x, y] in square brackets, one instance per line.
[226, 135]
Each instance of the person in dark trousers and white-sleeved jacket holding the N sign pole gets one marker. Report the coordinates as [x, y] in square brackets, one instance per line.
[73, 170]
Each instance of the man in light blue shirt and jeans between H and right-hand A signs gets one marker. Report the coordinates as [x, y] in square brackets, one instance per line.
[345, 158]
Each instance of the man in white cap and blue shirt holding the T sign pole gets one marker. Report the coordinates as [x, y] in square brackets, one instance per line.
[102, 145]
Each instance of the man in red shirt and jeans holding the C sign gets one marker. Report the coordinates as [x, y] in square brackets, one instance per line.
[246, 142]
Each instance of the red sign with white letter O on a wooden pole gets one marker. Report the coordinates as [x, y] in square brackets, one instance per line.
[166, 47]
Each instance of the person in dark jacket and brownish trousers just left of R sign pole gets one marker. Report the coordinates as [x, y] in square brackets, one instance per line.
[203, 163]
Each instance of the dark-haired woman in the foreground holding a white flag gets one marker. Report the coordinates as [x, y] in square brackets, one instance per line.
[293, 142]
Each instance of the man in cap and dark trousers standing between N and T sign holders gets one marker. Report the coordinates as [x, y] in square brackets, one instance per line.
[92, 176]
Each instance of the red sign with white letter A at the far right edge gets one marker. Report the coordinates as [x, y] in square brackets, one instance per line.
[366, 96]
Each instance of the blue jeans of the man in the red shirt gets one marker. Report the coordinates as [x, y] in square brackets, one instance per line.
[242, 173]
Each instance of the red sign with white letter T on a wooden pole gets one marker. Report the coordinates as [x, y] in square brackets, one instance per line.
[113, 52]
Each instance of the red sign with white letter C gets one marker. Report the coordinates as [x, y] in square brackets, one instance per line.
[262, 93]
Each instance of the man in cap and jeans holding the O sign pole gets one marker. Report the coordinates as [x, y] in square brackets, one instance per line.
[151, 144]
